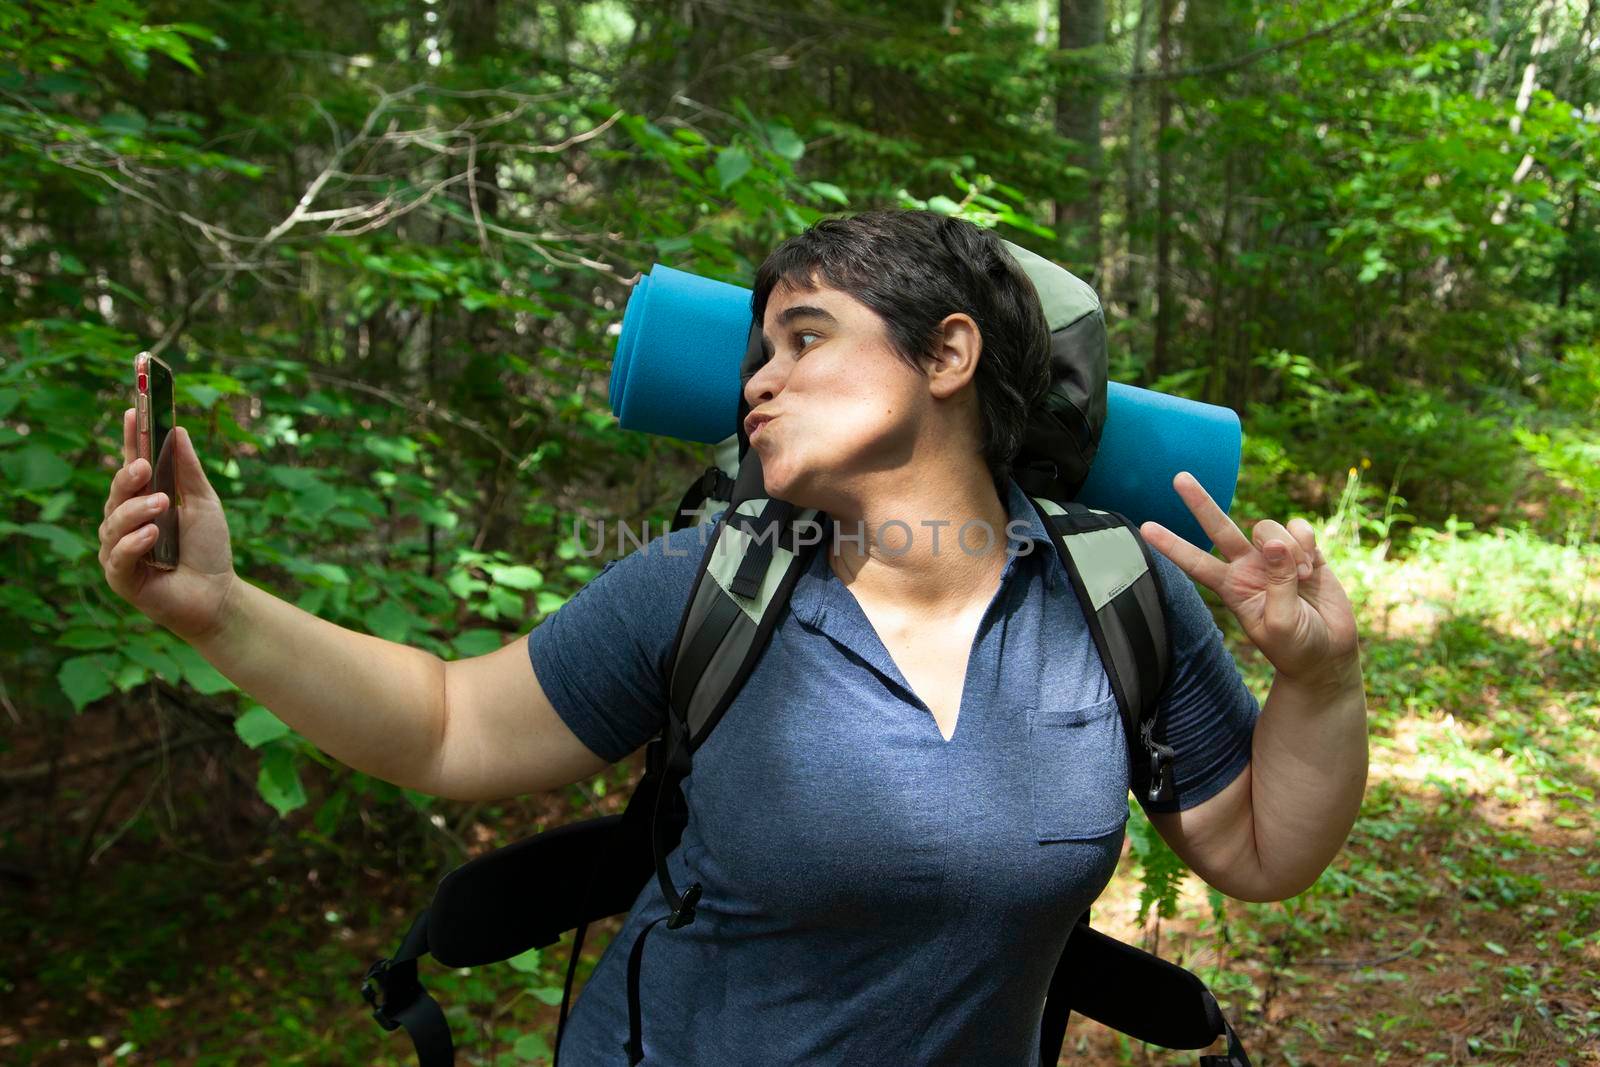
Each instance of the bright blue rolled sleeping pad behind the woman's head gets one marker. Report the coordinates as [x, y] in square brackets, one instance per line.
[678, 374]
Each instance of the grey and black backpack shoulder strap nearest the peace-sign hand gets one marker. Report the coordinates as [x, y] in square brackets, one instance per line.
[1121, 591]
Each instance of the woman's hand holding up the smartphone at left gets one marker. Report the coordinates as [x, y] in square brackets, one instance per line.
[193, 599]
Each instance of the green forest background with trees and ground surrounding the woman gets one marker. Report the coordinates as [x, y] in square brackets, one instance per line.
[385, 247]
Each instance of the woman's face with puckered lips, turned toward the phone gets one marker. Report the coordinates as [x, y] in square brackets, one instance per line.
[842, 402]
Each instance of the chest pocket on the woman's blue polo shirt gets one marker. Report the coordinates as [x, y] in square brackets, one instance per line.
[1079, 772]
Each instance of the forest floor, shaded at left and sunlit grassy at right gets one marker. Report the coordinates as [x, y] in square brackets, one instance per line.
[1460, 925]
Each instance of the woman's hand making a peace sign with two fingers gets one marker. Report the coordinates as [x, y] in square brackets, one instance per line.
[1292, 607]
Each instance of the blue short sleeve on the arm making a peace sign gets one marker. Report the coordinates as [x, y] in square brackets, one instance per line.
[1209, 716]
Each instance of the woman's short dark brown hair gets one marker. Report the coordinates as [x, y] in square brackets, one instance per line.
[916, 268]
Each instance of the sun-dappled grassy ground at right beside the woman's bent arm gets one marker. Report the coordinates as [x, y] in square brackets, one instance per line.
[1462, 922]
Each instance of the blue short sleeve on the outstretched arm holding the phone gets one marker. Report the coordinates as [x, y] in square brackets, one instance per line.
[602, 657]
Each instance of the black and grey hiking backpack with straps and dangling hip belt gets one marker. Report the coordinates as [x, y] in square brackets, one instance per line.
[505, 903]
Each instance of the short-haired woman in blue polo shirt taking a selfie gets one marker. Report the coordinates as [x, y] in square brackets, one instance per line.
[924, 781]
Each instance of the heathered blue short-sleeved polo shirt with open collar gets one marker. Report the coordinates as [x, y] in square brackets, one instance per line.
[873, 892]
